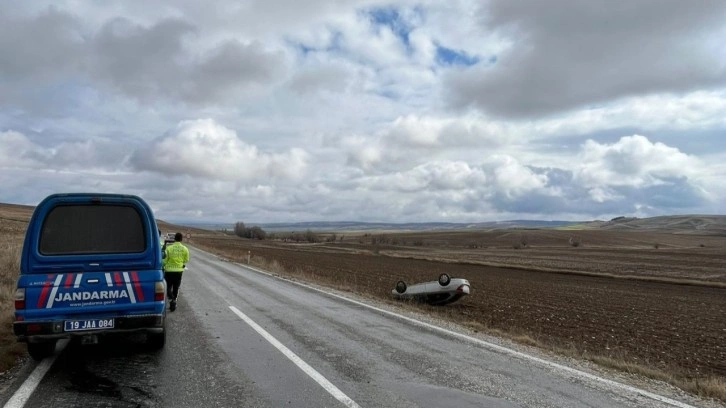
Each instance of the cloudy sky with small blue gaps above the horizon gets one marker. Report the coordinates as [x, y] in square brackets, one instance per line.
[363, 110]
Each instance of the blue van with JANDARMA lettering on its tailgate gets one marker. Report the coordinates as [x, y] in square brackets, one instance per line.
[91, 266]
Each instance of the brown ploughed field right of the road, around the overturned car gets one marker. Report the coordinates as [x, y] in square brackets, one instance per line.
[676, 328]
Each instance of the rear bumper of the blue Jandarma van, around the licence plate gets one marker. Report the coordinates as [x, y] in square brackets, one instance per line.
[36, 331]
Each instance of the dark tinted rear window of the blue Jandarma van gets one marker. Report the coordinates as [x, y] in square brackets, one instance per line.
[92, 229]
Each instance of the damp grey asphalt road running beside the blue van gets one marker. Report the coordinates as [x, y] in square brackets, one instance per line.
[240, 338]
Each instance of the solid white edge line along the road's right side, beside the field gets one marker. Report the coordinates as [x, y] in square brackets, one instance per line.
[495, 347]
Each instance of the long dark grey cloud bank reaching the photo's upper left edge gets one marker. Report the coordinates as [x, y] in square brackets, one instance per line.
[142, 61]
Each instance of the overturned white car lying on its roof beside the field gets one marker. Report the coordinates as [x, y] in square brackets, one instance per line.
[444, 291]
